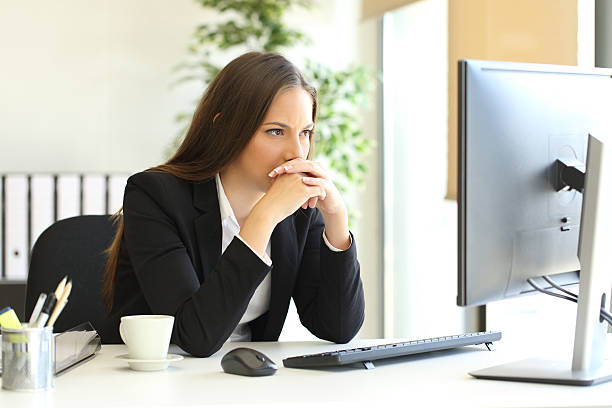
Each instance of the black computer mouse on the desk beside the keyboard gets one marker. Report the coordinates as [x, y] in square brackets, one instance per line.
[248, 362]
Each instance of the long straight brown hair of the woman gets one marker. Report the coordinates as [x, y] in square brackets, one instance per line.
[228, 115]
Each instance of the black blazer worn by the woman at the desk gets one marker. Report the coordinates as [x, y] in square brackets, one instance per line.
[170, 263]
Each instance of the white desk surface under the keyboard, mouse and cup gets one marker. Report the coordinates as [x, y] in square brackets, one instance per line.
[435, 379]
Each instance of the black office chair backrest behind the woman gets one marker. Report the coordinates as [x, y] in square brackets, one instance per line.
[74, 247]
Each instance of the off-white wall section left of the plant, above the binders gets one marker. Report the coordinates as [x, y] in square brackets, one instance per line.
[86, 84]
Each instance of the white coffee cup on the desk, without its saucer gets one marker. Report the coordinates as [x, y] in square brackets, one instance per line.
[147, 336]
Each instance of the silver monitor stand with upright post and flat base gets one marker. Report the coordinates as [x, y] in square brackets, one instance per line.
[587, 366]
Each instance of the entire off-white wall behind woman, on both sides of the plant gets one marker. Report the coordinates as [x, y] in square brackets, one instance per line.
[86, 86]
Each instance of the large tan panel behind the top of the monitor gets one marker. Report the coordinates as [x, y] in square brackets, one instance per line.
[542, 31]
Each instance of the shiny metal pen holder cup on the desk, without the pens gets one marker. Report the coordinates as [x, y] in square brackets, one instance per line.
[28, 359]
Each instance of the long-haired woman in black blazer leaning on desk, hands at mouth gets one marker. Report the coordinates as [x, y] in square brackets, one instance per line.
[238, 222]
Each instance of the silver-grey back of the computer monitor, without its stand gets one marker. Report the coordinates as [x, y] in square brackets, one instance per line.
[515, 121]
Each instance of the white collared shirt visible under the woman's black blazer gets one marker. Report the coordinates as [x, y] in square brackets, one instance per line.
[260, 302]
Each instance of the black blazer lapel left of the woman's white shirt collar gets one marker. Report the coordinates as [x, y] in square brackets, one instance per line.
[207, 225]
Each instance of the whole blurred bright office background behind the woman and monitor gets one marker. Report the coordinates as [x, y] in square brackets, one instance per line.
[90, 92]
